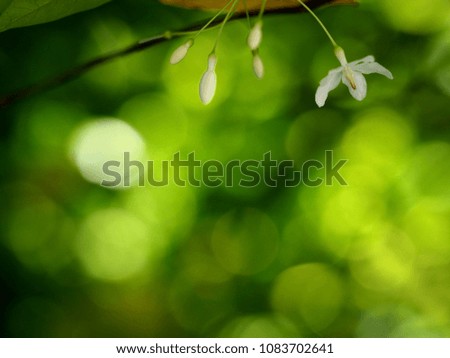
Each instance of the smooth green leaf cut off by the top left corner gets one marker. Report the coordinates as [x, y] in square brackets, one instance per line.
[19, 13]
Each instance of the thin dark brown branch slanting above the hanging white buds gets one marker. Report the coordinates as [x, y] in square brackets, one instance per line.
[77, 71]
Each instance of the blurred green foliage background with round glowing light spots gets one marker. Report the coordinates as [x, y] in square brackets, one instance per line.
[371, 259]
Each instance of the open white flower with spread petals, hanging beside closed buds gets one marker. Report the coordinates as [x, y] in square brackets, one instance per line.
[351, 75]
